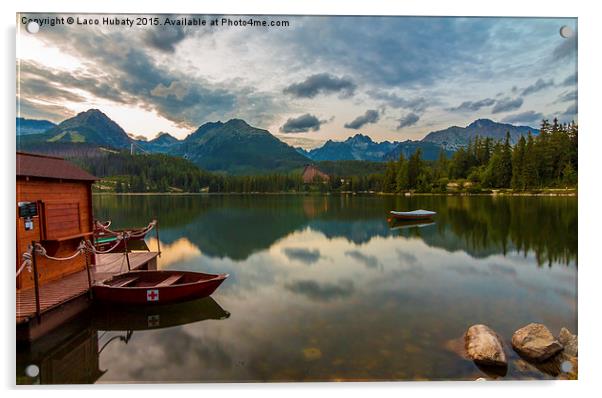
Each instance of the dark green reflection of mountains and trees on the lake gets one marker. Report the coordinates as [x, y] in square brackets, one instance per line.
[238, 226]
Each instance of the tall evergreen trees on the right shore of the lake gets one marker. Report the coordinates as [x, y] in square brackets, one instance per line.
[546, 160]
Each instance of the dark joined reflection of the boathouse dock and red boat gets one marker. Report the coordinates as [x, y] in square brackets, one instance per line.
[70, 354]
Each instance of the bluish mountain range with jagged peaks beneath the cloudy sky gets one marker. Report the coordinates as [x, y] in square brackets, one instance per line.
[235, 147]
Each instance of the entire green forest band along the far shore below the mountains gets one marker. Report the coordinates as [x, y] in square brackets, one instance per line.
[545, 160]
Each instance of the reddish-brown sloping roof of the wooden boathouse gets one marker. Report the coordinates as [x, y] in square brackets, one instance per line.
[34, 165]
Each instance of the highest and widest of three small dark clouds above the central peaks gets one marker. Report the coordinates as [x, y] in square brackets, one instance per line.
[322, 83]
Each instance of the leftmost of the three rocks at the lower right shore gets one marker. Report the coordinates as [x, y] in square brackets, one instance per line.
[484, 346]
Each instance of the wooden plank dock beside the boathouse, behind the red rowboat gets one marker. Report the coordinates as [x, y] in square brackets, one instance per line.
[74, 288]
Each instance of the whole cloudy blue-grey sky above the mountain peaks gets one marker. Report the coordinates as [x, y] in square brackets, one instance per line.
[319, 78]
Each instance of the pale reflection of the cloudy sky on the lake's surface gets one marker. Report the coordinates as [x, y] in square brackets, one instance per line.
[397, 320]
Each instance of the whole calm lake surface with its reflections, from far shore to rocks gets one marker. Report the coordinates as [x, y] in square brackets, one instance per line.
[324, 288]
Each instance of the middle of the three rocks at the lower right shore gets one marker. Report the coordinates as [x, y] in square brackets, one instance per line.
[535, 342]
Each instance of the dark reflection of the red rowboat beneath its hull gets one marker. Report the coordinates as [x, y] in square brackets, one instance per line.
[108, 317]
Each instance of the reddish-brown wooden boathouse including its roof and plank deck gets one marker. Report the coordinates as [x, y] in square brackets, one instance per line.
[53, 220]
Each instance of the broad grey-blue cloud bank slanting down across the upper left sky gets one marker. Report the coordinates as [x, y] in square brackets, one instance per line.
[125, 73]
